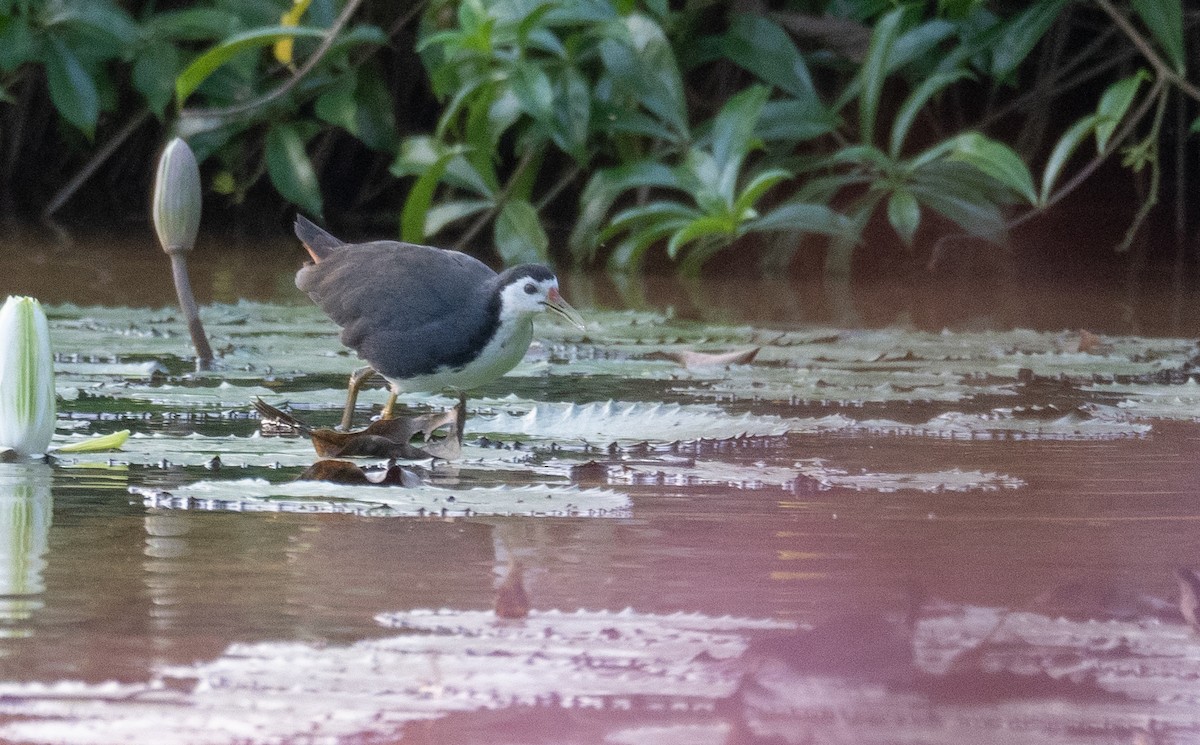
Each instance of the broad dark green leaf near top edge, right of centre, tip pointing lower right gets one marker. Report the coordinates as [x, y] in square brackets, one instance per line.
[766, 50]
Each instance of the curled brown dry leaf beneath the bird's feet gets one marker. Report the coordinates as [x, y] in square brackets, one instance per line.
[385, 438]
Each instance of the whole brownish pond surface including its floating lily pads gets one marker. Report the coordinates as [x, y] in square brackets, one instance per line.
[926, 536]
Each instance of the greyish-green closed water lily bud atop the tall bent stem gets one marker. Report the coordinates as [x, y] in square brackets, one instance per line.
[177, 199]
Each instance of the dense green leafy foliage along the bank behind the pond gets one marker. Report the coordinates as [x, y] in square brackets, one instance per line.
[611, 133]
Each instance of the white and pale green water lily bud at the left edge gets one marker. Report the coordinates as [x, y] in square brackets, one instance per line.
[27, 377]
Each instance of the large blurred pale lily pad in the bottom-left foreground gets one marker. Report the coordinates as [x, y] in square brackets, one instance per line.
[452, 662]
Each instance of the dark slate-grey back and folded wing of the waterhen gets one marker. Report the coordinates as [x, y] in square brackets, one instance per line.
[407, 310]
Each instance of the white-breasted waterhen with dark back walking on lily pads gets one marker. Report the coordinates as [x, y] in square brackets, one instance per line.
[425, 319]
